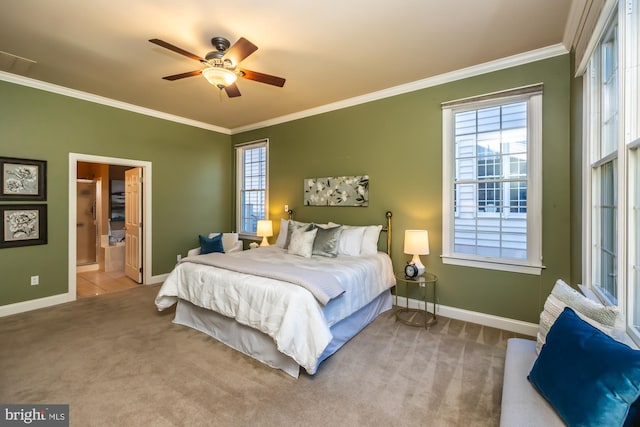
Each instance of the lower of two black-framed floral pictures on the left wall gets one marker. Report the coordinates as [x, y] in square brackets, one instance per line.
[23, 225]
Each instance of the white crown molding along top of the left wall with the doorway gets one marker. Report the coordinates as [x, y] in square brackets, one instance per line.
[85, 96]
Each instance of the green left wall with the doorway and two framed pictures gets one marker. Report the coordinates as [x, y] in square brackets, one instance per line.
[191, 178]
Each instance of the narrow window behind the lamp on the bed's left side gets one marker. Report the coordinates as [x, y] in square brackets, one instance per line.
[251, 197]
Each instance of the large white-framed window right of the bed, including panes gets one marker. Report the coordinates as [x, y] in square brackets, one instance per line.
[492, 181]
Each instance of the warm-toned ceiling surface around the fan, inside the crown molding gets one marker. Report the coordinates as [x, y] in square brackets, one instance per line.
[328, 51]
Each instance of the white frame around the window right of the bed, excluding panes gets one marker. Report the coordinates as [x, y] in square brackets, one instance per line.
[533, 263]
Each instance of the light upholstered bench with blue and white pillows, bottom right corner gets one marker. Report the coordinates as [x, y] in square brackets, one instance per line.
[578, 372]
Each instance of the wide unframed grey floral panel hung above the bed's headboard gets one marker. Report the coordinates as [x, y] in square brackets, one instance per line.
[337, 191]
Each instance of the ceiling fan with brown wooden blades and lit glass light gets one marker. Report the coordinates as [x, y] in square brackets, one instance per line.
[222, 64]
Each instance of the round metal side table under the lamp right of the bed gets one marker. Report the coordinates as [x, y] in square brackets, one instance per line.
[416, 316]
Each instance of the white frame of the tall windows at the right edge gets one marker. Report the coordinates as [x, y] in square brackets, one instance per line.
[626, 14]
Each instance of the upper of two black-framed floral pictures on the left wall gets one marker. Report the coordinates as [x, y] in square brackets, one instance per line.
[23, 179]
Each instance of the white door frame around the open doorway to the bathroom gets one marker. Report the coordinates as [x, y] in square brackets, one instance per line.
[74, 158]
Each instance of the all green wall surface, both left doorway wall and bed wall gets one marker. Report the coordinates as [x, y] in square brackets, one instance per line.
[397, 141]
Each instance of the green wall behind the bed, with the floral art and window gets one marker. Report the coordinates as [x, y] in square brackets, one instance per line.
[397, 141]
